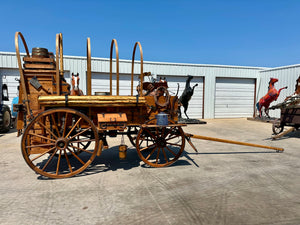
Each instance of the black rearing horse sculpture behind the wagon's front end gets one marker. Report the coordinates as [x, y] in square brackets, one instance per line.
[186, 96]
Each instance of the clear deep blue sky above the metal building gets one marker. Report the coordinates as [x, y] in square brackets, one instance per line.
[263, 33]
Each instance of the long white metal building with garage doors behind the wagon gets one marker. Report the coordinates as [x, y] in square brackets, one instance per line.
[222, 91]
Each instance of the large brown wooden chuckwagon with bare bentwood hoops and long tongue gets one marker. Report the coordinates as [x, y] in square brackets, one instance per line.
[62, 134]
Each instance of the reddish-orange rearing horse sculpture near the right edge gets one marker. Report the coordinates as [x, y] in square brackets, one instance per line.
[271, 96]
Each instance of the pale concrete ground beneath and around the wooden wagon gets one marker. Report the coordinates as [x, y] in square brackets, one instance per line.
[222, 184]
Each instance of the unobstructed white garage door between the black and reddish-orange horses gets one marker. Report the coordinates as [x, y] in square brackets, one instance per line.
[234, 97]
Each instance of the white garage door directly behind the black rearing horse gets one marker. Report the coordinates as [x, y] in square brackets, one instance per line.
[196, 103]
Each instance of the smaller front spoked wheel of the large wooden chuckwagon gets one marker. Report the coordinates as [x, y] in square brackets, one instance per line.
[160, 146]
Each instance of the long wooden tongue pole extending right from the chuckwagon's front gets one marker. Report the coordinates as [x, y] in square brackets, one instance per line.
[189, 136]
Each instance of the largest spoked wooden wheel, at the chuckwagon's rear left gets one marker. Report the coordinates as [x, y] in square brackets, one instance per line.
[50, 143]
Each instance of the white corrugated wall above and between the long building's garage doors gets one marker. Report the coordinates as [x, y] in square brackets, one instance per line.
[209, 73]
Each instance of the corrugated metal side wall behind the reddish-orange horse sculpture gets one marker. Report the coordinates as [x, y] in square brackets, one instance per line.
[286, 75]
